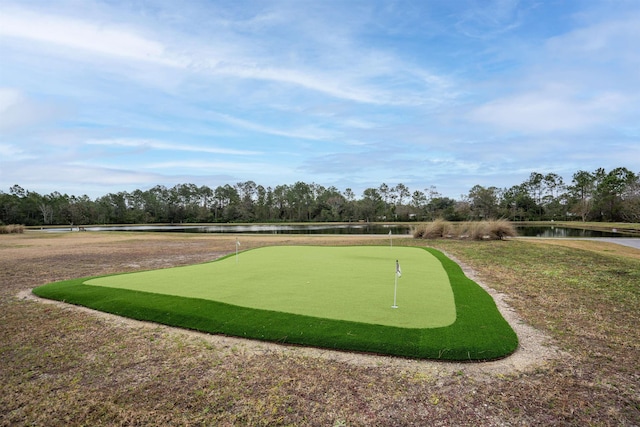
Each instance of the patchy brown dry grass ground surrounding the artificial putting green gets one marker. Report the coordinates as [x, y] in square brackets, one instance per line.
[65, 366]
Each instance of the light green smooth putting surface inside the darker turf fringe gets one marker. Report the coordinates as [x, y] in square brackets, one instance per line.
[355, 283]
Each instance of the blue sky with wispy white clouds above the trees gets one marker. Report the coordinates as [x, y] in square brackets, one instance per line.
[108, 96]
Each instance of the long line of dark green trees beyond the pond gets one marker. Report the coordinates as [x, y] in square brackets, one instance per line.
[590, 196]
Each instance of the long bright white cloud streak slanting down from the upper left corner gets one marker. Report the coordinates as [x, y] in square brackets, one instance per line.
[125, 42]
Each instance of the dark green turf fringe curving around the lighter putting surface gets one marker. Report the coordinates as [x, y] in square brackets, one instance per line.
[479, 332]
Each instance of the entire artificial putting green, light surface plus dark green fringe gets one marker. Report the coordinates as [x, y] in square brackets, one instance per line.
[334, 297]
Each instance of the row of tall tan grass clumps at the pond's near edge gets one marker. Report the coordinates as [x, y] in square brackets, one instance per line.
[471, 230]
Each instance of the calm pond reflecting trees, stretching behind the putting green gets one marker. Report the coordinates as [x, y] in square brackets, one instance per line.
[352, 228]
